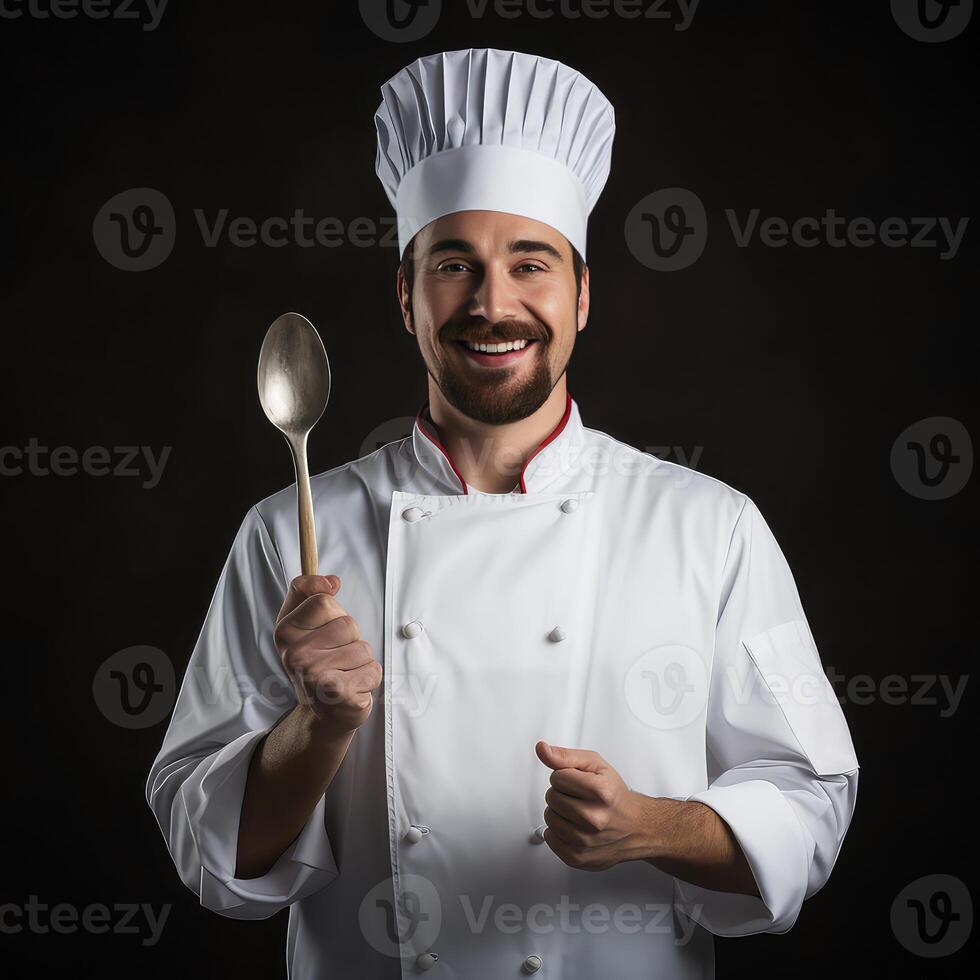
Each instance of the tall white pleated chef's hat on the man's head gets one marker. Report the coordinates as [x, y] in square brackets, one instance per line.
[491, 130]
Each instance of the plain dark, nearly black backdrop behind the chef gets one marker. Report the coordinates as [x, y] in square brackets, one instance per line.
[792, 370]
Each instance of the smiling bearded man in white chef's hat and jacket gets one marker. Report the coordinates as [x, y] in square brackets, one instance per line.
[556, 708]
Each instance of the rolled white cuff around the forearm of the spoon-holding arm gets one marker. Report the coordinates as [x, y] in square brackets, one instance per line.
[214, 811]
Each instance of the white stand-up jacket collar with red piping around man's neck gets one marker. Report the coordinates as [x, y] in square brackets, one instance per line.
[555, 458]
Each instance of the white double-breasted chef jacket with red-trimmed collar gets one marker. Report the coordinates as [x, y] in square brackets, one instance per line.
[613, 601]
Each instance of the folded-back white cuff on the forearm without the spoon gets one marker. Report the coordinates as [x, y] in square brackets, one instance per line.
[773, 842]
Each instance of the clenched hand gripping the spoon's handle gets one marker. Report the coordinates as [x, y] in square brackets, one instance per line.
[333, 670]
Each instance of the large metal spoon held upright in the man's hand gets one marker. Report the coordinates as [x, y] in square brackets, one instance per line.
[294, 385]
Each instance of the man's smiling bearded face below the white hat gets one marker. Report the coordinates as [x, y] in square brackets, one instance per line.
[487, 277]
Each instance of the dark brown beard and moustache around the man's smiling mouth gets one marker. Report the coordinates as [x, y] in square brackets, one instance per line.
[499, 404]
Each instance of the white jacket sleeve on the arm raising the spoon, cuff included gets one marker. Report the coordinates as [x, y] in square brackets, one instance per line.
[235, 690]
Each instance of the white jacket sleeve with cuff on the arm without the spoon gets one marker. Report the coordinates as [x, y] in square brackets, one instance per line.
[782, 768]
